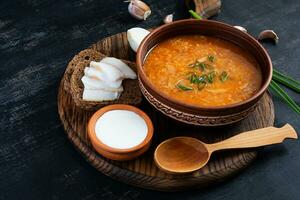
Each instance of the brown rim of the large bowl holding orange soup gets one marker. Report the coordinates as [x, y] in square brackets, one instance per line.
[147, 83]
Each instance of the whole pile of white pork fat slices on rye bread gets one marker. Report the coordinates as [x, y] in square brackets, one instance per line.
[102, 80]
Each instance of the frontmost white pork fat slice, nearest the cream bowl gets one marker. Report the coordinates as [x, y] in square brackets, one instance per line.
[99, 95]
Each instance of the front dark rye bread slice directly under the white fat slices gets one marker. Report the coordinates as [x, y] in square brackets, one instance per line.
[131, 94]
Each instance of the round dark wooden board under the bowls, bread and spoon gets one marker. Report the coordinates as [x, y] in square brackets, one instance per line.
[142, 172]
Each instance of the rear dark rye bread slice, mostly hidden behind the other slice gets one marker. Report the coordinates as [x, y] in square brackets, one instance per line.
[86, 55]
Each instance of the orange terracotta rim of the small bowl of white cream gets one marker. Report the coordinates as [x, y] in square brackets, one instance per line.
[95, 141]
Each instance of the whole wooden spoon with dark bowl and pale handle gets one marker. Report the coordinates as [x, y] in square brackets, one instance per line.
[187, 154]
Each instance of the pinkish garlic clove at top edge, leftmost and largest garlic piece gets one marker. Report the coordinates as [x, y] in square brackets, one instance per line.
[139, 9]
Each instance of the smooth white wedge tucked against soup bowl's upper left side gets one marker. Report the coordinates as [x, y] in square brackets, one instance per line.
[135, 36]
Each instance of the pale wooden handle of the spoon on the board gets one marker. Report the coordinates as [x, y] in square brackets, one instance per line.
[256, 138]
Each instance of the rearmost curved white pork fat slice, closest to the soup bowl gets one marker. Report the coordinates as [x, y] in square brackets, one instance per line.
[123, 67]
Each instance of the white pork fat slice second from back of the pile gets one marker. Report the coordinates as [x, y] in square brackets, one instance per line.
[107, 72]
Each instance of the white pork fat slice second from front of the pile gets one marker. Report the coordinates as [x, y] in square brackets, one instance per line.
[94, 84]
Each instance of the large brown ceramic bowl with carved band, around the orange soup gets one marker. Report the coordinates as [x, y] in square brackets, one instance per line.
[196, 115]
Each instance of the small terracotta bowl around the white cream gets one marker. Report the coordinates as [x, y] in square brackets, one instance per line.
[114, 153]
